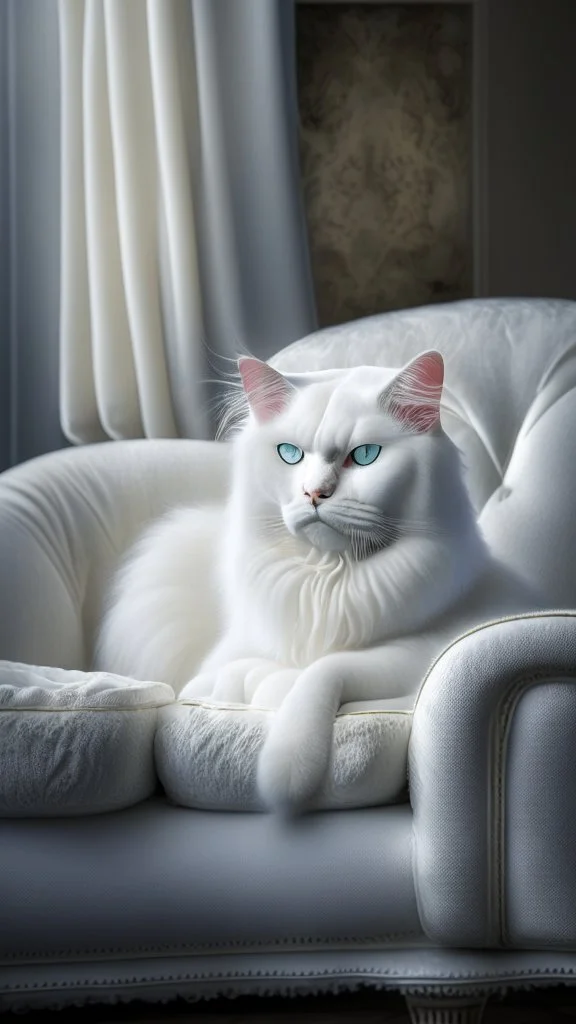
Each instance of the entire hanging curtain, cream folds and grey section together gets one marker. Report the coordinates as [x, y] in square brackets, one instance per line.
[183, 230]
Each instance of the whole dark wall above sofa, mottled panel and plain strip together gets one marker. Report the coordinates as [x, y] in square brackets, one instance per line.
[377, 241]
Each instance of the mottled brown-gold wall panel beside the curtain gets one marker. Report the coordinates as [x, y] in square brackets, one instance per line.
[385, 101]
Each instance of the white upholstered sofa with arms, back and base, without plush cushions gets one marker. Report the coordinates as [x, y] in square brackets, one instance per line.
[468, 889]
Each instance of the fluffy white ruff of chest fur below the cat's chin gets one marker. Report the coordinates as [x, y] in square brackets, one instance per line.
[297, 606]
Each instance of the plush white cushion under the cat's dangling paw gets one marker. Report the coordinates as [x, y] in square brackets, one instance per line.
[207, 754]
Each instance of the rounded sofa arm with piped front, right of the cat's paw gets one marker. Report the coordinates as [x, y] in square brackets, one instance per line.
[493, 786]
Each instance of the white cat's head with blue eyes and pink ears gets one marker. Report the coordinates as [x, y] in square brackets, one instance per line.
[349, 460]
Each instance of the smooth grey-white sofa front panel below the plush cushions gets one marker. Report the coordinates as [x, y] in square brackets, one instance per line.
[157, 880]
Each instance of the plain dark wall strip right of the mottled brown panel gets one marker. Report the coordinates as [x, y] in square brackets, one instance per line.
[525, 148]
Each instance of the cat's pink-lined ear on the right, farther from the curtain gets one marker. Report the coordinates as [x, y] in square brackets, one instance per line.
[414, 398]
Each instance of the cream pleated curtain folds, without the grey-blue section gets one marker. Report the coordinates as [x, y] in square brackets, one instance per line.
[129, 242]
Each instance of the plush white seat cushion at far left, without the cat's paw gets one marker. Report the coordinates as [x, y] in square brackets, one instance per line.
[75, 744]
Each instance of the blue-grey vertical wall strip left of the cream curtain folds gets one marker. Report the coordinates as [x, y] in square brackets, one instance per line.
[30, 208]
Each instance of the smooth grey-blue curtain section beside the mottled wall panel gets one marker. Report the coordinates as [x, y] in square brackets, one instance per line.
[256, 243]
